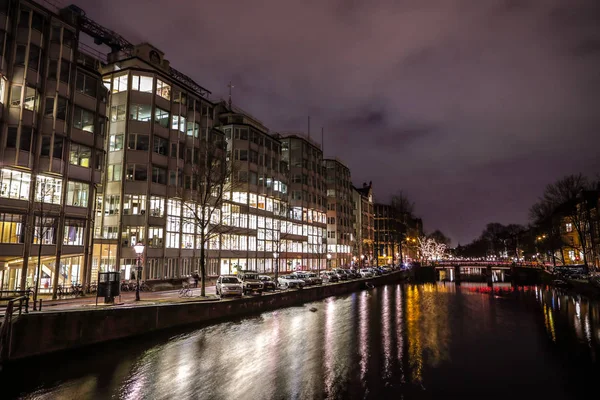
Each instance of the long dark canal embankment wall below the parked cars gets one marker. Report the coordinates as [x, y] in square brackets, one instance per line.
[37, 334]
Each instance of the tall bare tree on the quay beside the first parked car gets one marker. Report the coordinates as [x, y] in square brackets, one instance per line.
[212, 176]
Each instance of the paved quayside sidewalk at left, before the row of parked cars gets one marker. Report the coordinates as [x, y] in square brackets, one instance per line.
[127, 299]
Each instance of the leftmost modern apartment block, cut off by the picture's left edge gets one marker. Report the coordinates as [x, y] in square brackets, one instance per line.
[53, 110]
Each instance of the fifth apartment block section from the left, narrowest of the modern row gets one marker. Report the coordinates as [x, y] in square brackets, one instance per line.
[340, 229]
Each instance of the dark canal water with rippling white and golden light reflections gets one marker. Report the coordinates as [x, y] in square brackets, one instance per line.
[397, 341]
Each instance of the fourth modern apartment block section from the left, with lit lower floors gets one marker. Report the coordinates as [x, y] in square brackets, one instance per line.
[305, 236]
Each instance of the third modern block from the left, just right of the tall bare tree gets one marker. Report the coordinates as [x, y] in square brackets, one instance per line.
[254, 213]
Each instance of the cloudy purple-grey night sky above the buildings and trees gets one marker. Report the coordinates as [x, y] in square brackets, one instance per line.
[469, 106]
